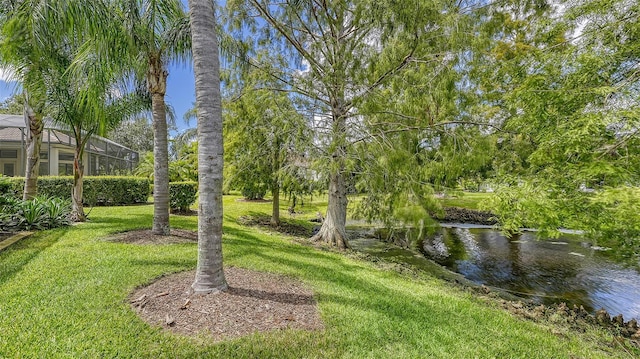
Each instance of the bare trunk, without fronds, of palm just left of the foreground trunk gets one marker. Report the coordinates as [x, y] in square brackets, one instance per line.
[157, 82]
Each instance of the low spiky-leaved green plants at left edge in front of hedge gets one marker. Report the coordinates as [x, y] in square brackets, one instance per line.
[37, 213]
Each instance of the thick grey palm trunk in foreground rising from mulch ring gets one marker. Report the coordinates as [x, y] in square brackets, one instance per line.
[209, 272]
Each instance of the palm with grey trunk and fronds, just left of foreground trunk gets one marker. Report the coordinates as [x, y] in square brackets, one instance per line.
[158, 33]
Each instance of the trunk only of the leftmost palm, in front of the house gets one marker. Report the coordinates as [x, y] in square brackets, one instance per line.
[34, 143]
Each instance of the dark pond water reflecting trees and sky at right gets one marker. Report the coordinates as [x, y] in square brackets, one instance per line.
[548, 272]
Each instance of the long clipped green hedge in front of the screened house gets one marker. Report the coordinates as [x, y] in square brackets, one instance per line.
[97, 190]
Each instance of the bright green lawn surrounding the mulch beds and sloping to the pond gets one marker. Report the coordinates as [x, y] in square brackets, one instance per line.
[63, 294]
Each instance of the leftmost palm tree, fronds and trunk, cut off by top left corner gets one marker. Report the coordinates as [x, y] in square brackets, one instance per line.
[31, 33]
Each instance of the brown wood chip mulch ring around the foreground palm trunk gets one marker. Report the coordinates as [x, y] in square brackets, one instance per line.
[254, 302]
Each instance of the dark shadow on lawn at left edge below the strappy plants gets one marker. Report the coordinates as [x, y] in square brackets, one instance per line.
[20, 254]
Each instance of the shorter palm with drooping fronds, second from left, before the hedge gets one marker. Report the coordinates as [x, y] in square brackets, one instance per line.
[84, 97]
